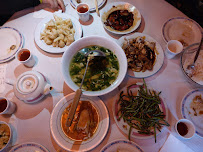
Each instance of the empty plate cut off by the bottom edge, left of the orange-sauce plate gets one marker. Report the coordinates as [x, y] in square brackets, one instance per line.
[29, 147]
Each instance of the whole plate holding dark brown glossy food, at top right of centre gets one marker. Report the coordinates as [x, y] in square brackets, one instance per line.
[120, 18]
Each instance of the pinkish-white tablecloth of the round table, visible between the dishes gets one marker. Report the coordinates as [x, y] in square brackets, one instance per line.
[31, 122]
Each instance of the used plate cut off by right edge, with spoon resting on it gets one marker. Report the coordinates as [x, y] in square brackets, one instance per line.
[195, 76]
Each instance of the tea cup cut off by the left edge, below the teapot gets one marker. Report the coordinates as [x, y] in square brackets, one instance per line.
[6, 106]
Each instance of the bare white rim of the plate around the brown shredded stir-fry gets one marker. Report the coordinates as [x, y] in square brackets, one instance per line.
[159, 56]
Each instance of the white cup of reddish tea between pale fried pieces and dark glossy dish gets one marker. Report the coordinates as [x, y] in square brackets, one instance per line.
[83, 12]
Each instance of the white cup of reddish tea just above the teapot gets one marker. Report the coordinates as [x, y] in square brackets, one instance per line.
[25, 57]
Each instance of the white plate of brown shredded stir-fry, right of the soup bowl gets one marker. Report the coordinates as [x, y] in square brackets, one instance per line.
[144, 54]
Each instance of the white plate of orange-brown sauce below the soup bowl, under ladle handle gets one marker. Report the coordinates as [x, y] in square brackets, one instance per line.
[89, 126]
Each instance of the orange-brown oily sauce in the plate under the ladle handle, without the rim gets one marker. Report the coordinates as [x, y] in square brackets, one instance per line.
[77, 131]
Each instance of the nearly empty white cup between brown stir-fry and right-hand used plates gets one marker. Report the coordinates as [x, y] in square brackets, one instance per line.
[173, 48]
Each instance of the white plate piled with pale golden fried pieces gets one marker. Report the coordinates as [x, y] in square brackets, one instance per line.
[56, 32]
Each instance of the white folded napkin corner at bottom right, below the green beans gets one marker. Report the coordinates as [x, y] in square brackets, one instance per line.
[172, 144]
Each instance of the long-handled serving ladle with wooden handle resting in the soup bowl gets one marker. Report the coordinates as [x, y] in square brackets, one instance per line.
[90, 55]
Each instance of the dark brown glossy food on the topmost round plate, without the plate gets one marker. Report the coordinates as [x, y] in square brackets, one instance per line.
[120, 20]
